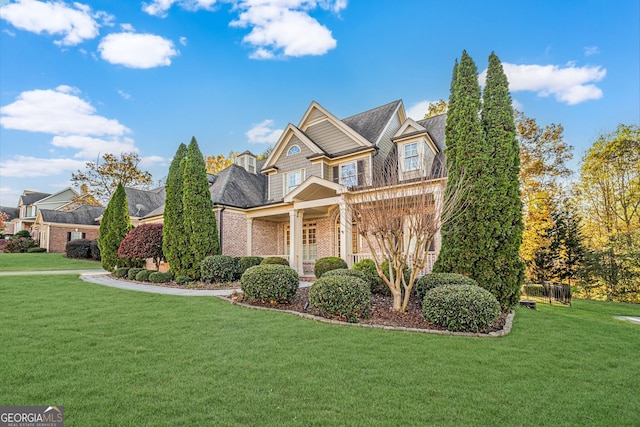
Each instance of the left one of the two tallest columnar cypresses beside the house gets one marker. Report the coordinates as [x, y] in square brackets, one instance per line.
[464, 238]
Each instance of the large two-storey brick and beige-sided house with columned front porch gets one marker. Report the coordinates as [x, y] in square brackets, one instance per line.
[291, 204]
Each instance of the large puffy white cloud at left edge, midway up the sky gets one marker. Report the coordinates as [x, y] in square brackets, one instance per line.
[59, 111]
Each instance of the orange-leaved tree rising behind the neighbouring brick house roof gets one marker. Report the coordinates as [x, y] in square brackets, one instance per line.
[100, 179]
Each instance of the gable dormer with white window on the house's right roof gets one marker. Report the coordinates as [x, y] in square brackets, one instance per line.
[415, 149]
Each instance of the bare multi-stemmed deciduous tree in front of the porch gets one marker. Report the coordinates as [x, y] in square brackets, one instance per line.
[399, 217]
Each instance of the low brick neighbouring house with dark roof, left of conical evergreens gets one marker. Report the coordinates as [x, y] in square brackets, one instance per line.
[55, 228]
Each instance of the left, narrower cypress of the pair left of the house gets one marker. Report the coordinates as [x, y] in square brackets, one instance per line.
[174, 237]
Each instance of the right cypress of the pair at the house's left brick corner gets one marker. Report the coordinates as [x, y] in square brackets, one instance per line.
[200, 225]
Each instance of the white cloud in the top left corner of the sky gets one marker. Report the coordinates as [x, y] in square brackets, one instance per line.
[74, 23]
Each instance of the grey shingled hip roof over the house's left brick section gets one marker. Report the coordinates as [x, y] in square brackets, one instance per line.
[234, 186]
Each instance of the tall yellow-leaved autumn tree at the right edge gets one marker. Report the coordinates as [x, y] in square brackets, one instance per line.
[610, 197]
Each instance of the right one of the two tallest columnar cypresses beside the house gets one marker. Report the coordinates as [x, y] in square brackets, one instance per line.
[503, 272]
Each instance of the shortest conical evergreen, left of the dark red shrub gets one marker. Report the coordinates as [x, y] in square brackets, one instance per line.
[115, 225]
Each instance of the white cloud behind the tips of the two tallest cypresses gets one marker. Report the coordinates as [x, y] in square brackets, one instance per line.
[569, 84]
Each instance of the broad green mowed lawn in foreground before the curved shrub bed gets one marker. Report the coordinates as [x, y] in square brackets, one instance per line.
[119, 358]
